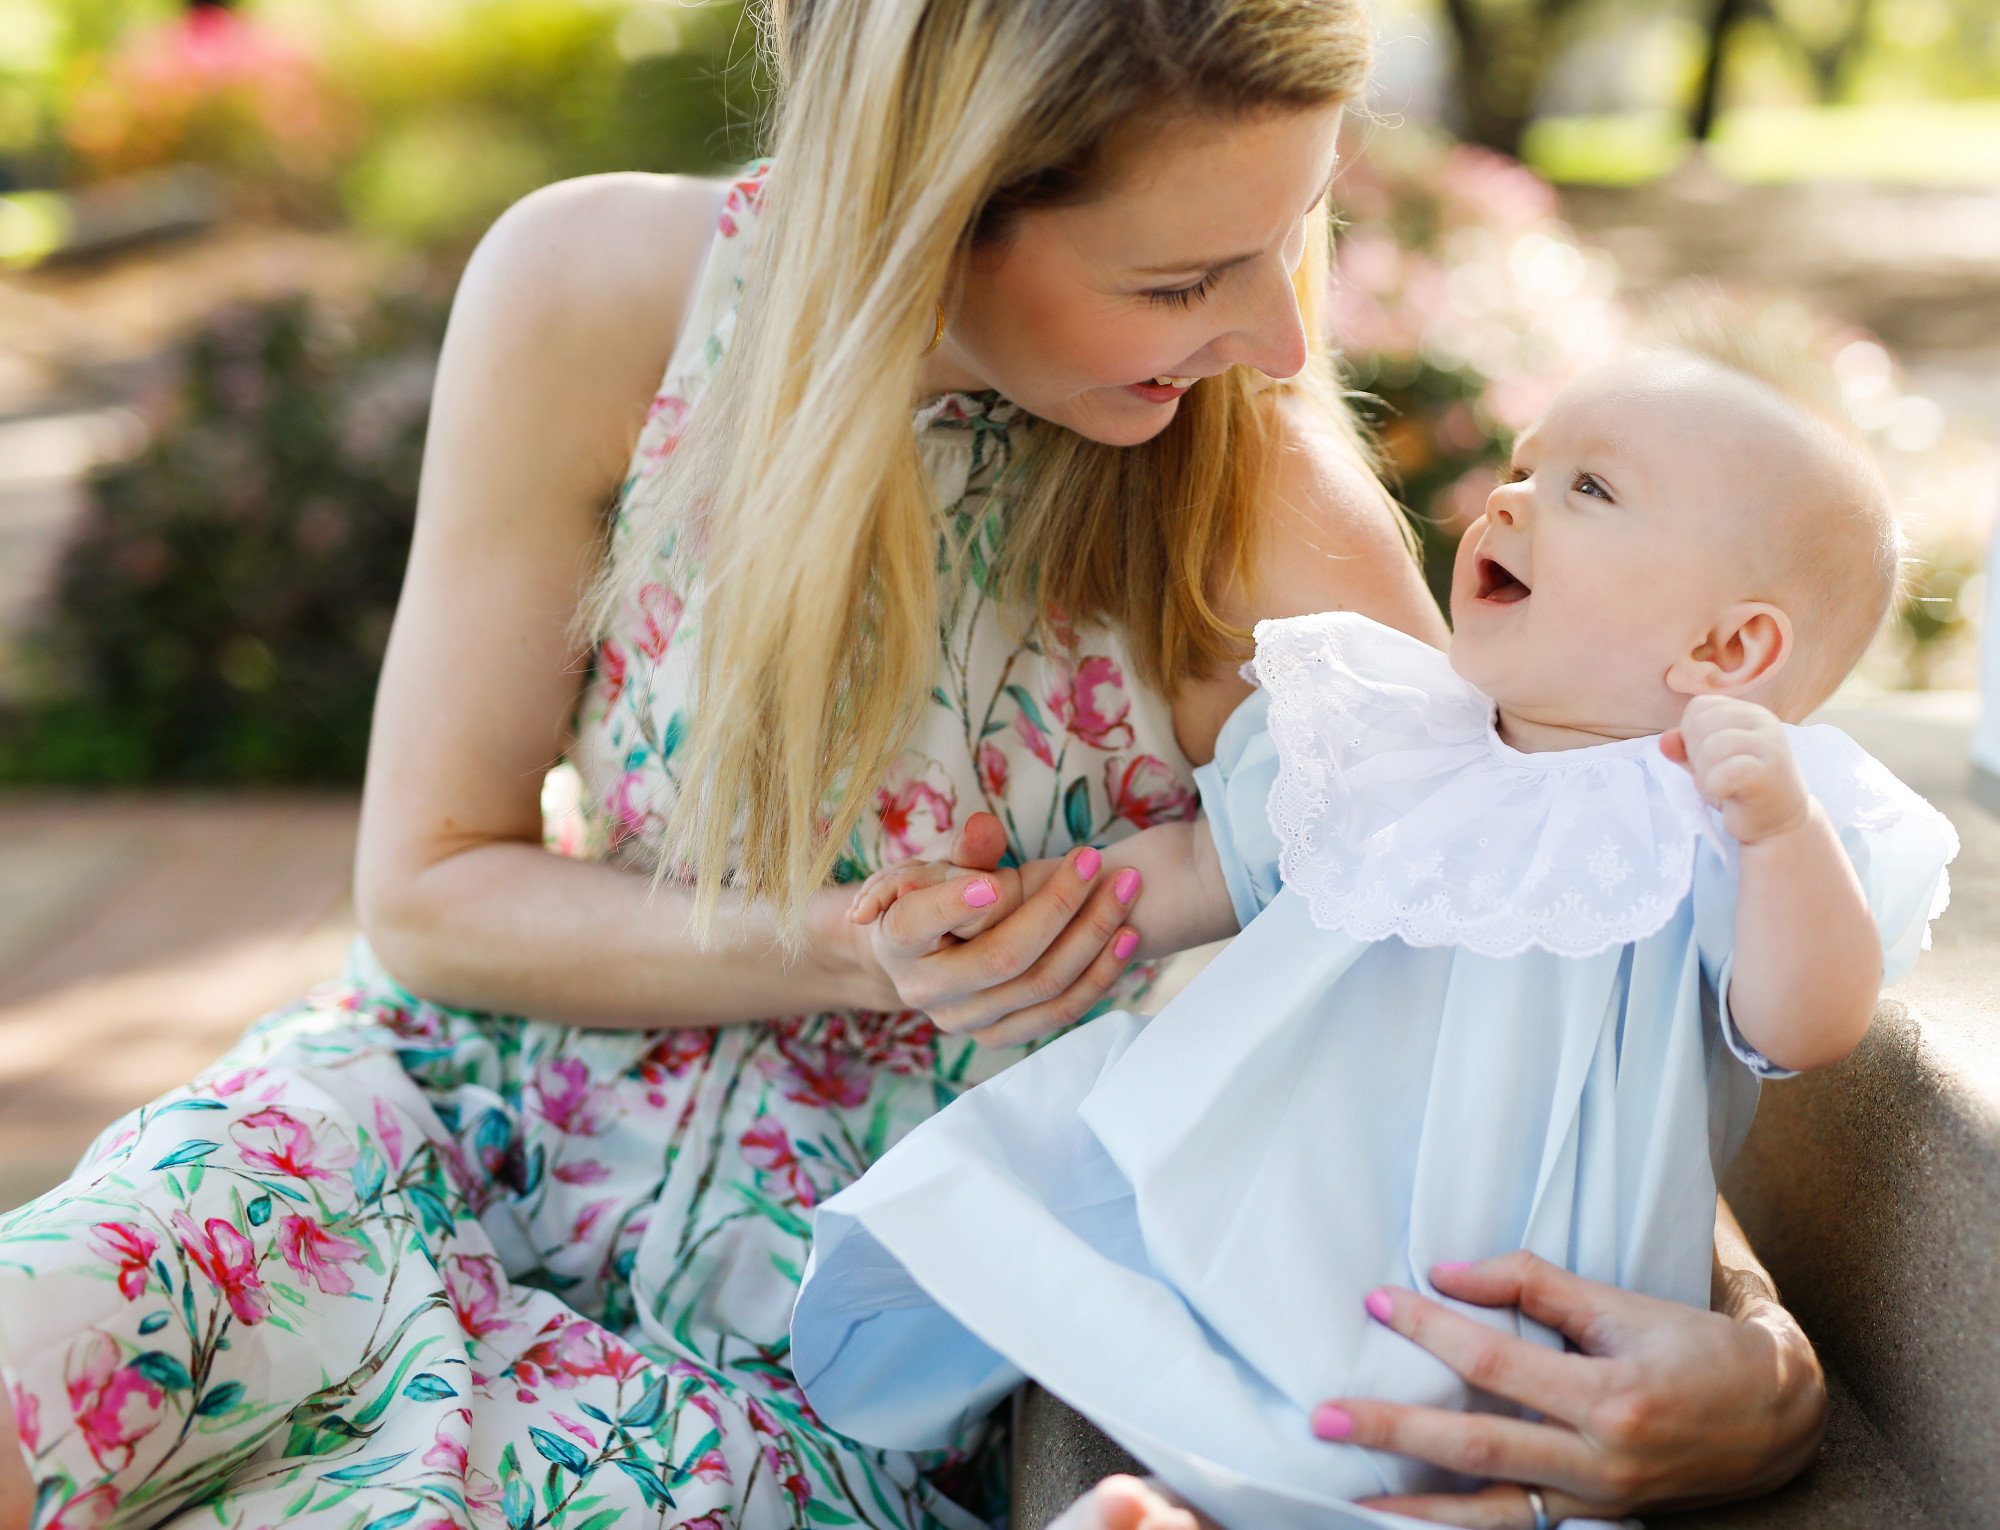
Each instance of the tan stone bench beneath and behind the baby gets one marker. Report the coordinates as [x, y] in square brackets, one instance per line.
[1871, 1191]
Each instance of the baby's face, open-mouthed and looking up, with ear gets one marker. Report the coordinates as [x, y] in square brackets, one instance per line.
[1625, 529]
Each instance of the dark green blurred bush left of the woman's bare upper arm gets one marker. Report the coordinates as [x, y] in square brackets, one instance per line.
[223, 611]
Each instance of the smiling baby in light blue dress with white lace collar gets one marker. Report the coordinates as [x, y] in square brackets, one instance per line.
[1521, 933]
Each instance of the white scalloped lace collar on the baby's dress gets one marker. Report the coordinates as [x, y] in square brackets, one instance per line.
[1401, 811]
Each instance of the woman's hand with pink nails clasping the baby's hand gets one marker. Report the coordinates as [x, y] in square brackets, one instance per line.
[1043, 953]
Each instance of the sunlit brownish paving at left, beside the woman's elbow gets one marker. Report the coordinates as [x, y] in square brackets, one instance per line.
[139, 937]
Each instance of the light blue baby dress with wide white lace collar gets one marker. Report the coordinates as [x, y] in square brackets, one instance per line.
[1473, 1009]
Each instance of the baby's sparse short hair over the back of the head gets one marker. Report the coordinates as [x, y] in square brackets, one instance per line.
[1837, 569]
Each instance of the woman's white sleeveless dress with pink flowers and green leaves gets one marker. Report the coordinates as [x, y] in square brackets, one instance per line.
[403, 1267]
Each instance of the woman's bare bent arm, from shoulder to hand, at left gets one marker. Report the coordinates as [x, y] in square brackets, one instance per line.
[559, 339]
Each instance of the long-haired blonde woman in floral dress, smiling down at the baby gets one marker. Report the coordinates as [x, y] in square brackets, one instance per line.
[407, 1259]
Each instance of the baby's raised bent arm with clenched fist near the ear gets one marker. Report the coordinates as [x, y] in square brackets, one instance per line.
[1809, 957]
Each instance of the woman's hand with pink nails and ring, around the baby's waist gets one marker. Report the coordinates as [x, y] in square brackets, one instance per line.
[1667, 1407]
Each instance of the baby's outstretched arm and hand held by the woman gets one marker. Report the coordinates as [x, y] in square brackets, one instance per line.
[1177, 865]
